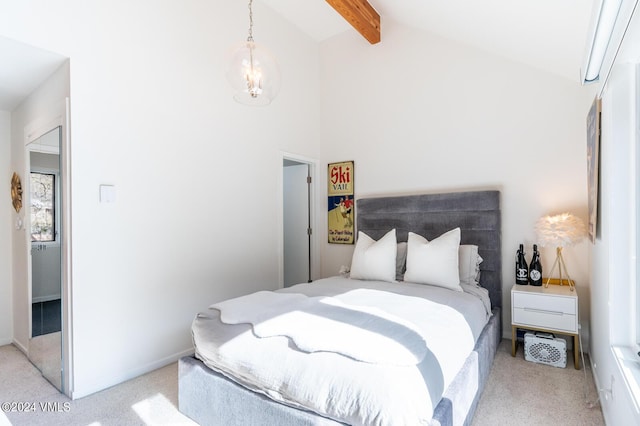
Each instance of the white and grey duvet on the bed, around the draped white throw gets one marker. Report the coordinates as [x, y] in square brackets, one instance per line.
[338, 386]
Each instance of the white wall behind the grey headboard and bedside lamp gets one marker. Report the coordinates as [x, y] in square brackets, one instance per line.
[419, 113]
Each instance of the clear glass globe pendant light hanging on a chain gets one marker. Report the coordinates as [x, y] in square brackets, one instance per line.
[253, 72]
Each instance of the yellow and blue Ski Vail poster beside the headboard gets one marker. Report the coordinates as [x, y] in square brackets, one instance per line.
[341, 204]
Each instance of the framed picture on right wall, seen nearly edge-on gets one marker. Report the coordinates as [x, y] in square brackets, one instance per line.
[593, 154]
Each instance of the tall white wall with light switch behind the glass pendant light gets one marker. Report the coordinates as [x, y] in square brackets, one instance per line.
[196, 174]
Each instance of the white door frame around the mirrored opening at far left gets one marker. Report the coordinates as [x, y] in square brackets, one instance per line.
[58, 116]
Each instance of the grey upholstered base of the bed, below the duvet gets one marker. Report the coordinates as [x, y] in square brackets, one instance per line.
[209, 398]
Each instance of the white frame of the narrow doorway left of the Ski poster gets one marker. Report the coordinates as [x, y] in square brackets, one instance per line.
[313, 203]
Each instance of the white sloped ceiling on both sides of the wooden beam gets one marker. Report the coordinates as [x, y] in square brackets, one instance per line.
[547, 34]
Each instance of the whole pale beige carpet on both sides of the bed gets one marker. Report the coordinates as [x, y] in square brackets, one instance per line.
[517, 393]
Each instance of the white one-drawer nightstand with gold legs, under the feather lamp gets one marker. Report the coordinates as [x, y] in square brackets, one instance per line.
[553, 309]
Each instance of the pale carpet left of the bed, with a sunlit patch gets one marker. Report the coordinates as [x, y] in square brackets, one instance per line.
[150, 399]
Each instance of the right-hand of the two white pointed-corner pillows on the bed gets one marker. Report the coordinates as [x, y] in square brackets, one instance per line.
[434, 262]
